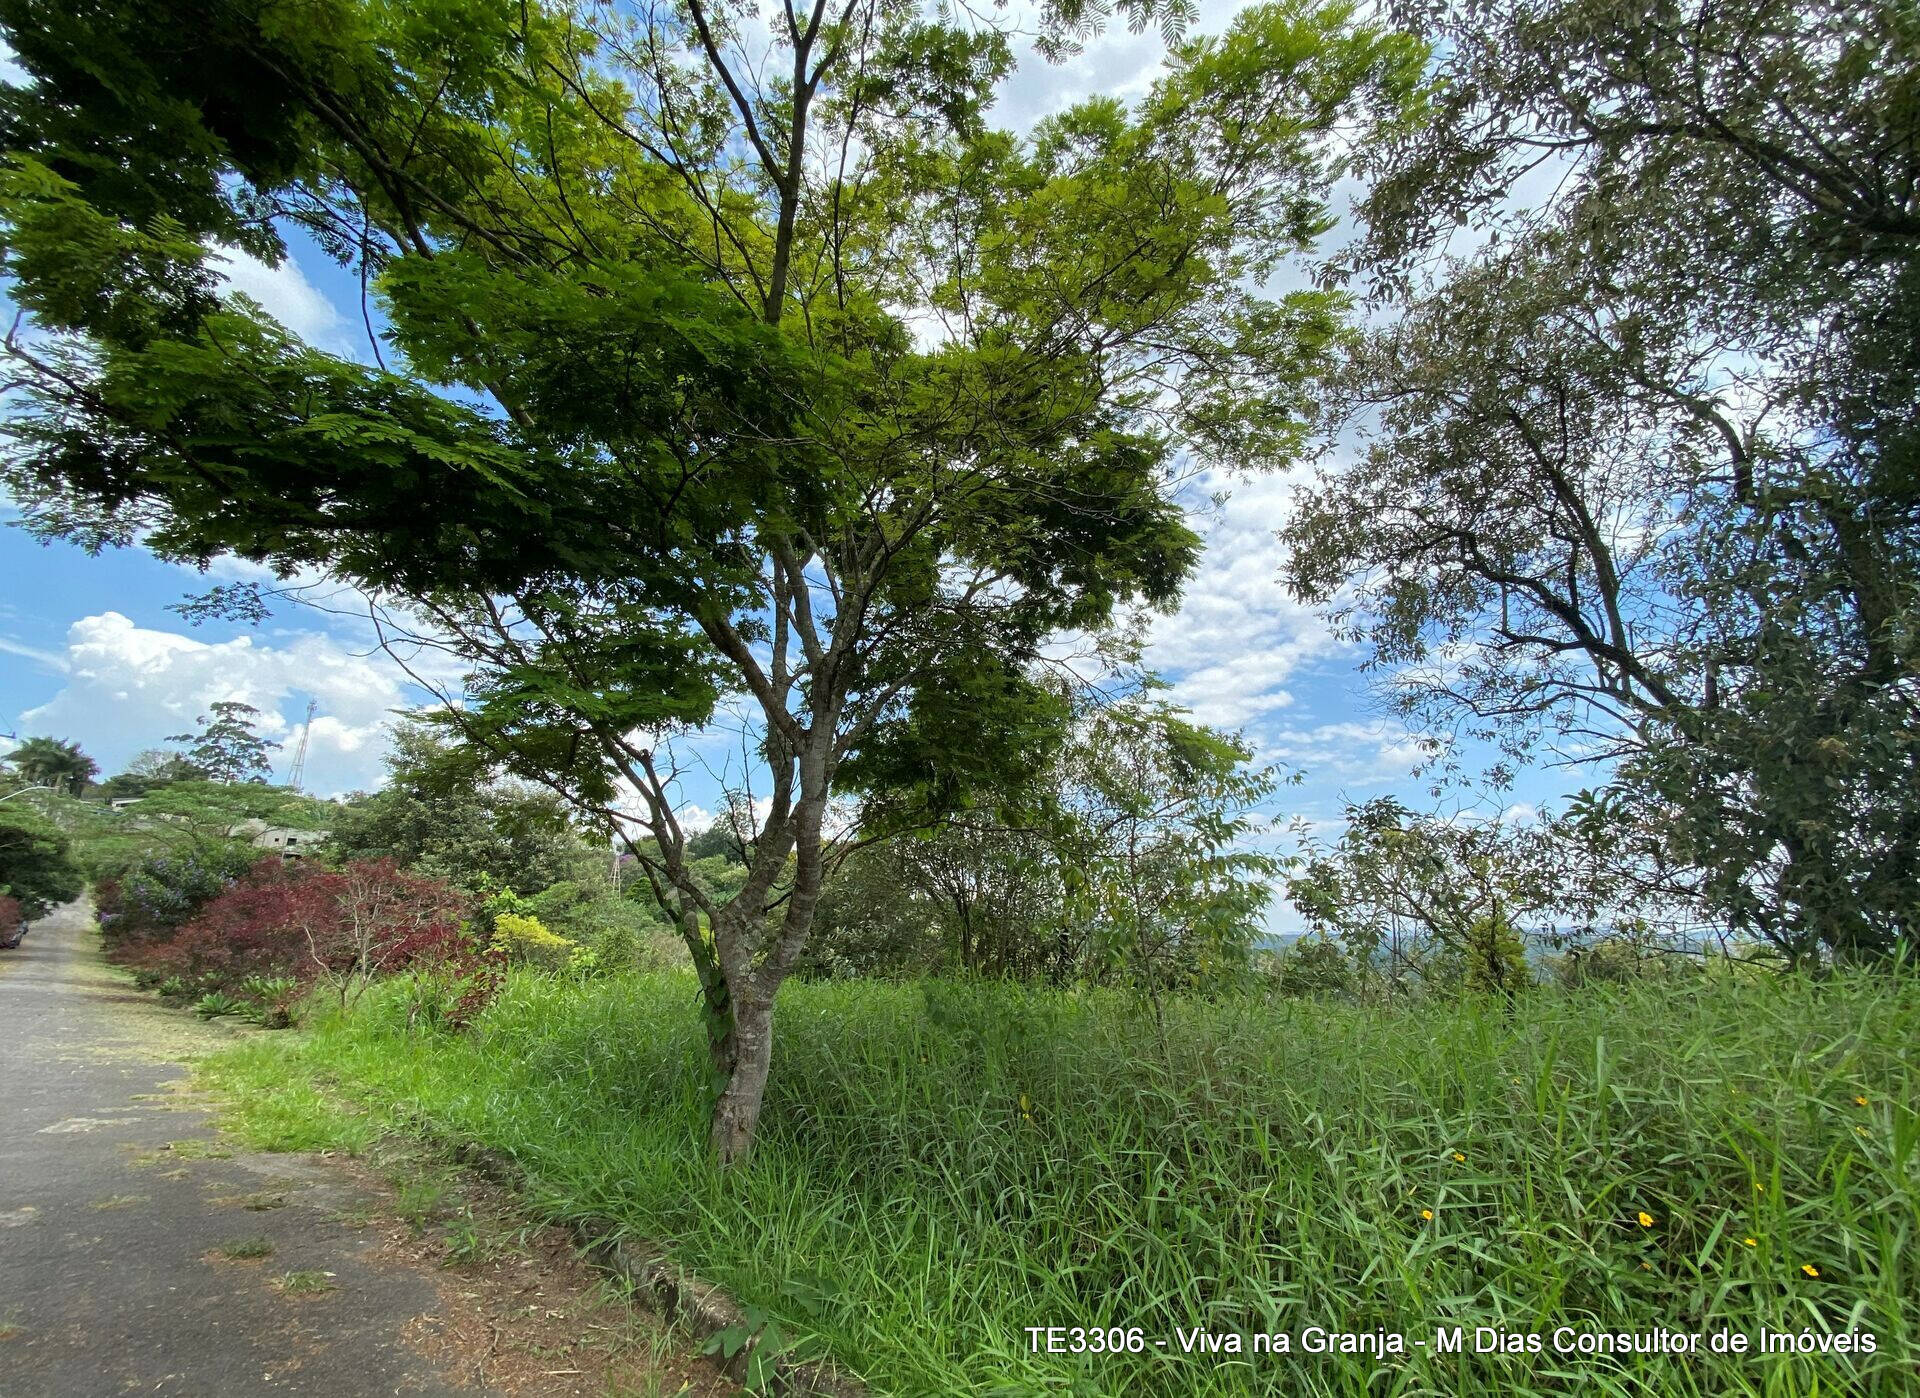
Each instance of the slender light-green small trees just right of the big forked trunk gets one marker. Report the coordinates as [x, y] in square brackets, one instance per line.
[1130, 861]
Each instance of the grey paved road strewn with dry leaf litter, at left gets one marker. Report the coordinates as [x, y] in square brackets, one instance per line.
[116, 1197]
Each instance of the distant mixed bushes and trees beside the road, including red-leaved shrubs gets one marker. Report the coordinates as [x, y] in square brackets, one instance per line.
[418, 877]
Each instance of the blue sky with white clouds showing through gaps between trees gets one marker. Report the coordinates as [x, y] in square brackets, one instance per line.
[91, 652]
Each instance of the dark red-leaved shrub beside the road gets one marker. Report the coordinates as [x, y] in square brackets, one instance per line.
[322, 925]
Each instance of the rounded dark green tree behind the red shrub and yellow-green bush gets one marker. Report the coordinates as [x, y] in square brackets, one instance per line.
[444, 813]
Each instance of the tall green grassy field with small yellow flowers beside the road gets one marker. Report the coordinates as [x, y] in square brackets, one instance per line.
[949, 1165]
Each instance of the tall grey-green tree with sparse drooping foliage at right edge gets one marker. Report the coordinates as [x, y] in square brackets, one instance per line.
[1641, 471]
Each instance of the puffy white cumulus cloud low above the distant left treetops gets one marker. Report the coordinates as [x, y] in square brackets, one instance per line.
[132, 687]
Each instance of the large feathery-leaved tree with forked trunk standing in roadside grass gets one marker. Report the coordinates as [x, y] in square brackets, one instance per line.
[788, 385]
